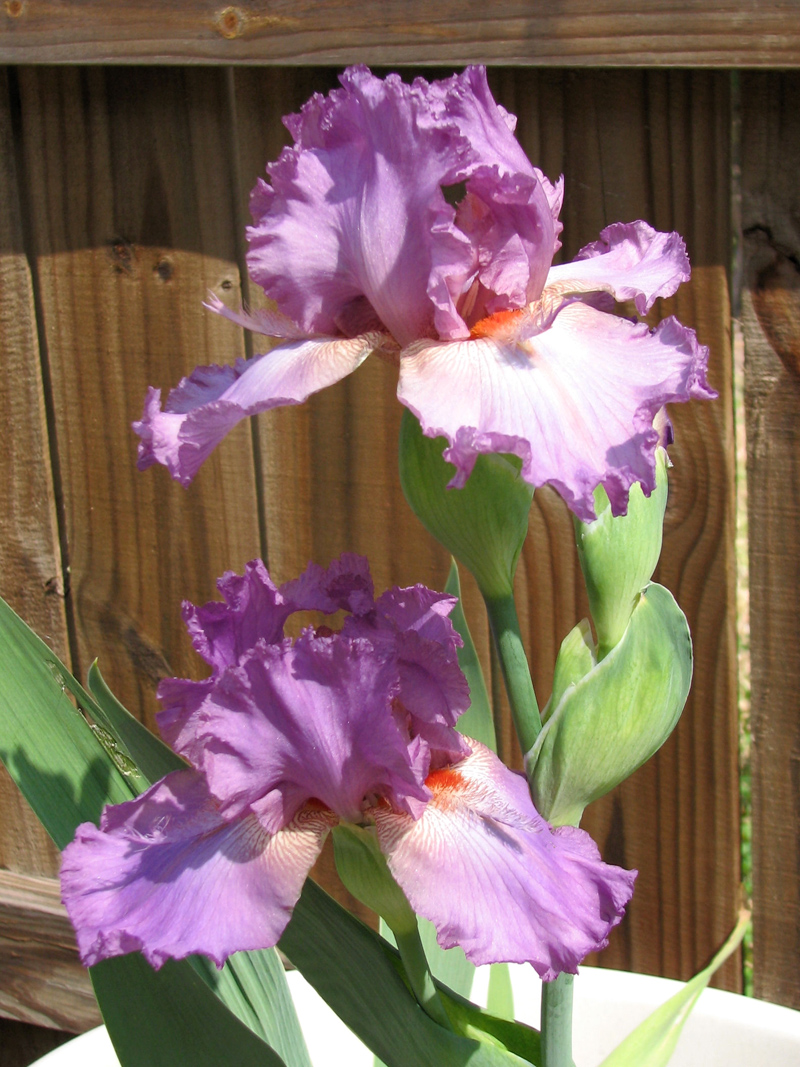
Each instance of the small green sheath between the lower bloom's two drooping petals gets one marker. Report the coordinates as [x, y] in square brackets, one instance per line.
[363, 870]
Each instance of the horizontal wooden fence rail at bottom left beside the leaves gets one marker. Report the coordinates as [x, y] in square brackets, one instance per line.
[42, 981]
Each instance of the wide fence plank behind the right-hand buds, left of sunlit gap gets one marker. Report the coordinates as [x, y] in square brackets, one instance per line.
[655, 147]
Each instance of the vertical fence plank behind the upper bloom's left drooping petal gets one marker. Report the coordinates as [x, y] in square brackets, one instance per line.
[133, 222]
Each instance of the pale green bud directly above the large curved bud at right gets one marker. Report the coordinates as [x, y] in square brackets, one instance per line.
[619, 555]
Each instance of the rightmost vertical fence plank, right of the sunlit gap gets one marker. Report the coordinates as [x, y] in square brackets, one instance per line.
[771, 119]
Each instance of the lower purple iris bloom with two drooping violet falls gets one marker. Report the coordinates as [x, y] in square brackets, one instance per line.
[286, 740]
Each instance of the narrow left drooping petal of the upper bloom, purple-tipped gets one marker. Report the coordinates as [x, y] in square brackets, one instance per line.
[205, 407]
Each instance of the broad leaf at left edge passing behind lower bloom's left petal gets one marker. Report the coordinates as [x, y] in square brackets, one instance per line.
[69, 773]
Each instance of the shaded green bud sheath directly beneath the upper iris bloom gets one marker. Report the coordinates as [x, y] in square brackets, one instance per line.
[485, 524]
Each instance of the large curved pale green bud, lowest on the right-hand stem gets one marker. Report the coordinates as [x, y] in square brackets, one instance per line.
[609, 723]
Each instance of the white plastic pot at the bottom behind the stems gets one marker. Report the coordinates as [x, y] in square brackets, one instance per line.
[725, 1030]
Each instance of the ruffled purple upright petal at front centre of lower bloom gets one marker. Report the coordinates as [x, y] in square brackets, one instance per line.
[315, 720]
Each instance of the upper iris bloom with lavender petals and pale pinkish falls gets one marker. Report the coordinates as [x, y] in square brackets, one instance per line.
[361, 250]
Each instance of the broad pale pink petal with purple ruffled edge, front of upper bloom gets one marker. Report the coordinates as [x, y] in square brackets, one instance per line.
[575, 403]
